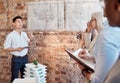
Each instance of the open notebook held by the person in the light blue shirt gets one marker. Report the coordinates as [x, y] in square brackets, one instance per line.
[86, 63]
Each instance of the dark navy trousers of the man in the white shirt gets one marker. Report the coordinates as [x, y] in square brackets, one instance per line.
[18, 64]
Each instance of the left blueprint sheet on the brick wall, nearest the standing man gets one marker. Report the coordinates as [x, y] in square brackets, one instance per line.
[46, 15]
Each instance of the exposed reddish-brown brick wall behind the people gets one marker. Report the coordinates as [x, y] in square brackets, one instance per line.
[47, 47]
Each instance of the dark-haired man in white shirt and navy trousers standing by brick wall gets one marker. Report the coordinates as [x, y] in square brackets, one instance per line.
[17, 43]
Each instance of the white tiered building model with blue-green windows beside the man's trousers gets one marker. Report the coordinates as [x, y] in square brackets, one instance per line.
[37, 71]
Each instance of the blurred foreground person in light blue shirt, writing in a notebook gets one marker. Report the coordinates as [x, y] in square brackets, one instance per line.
[107, 47]
